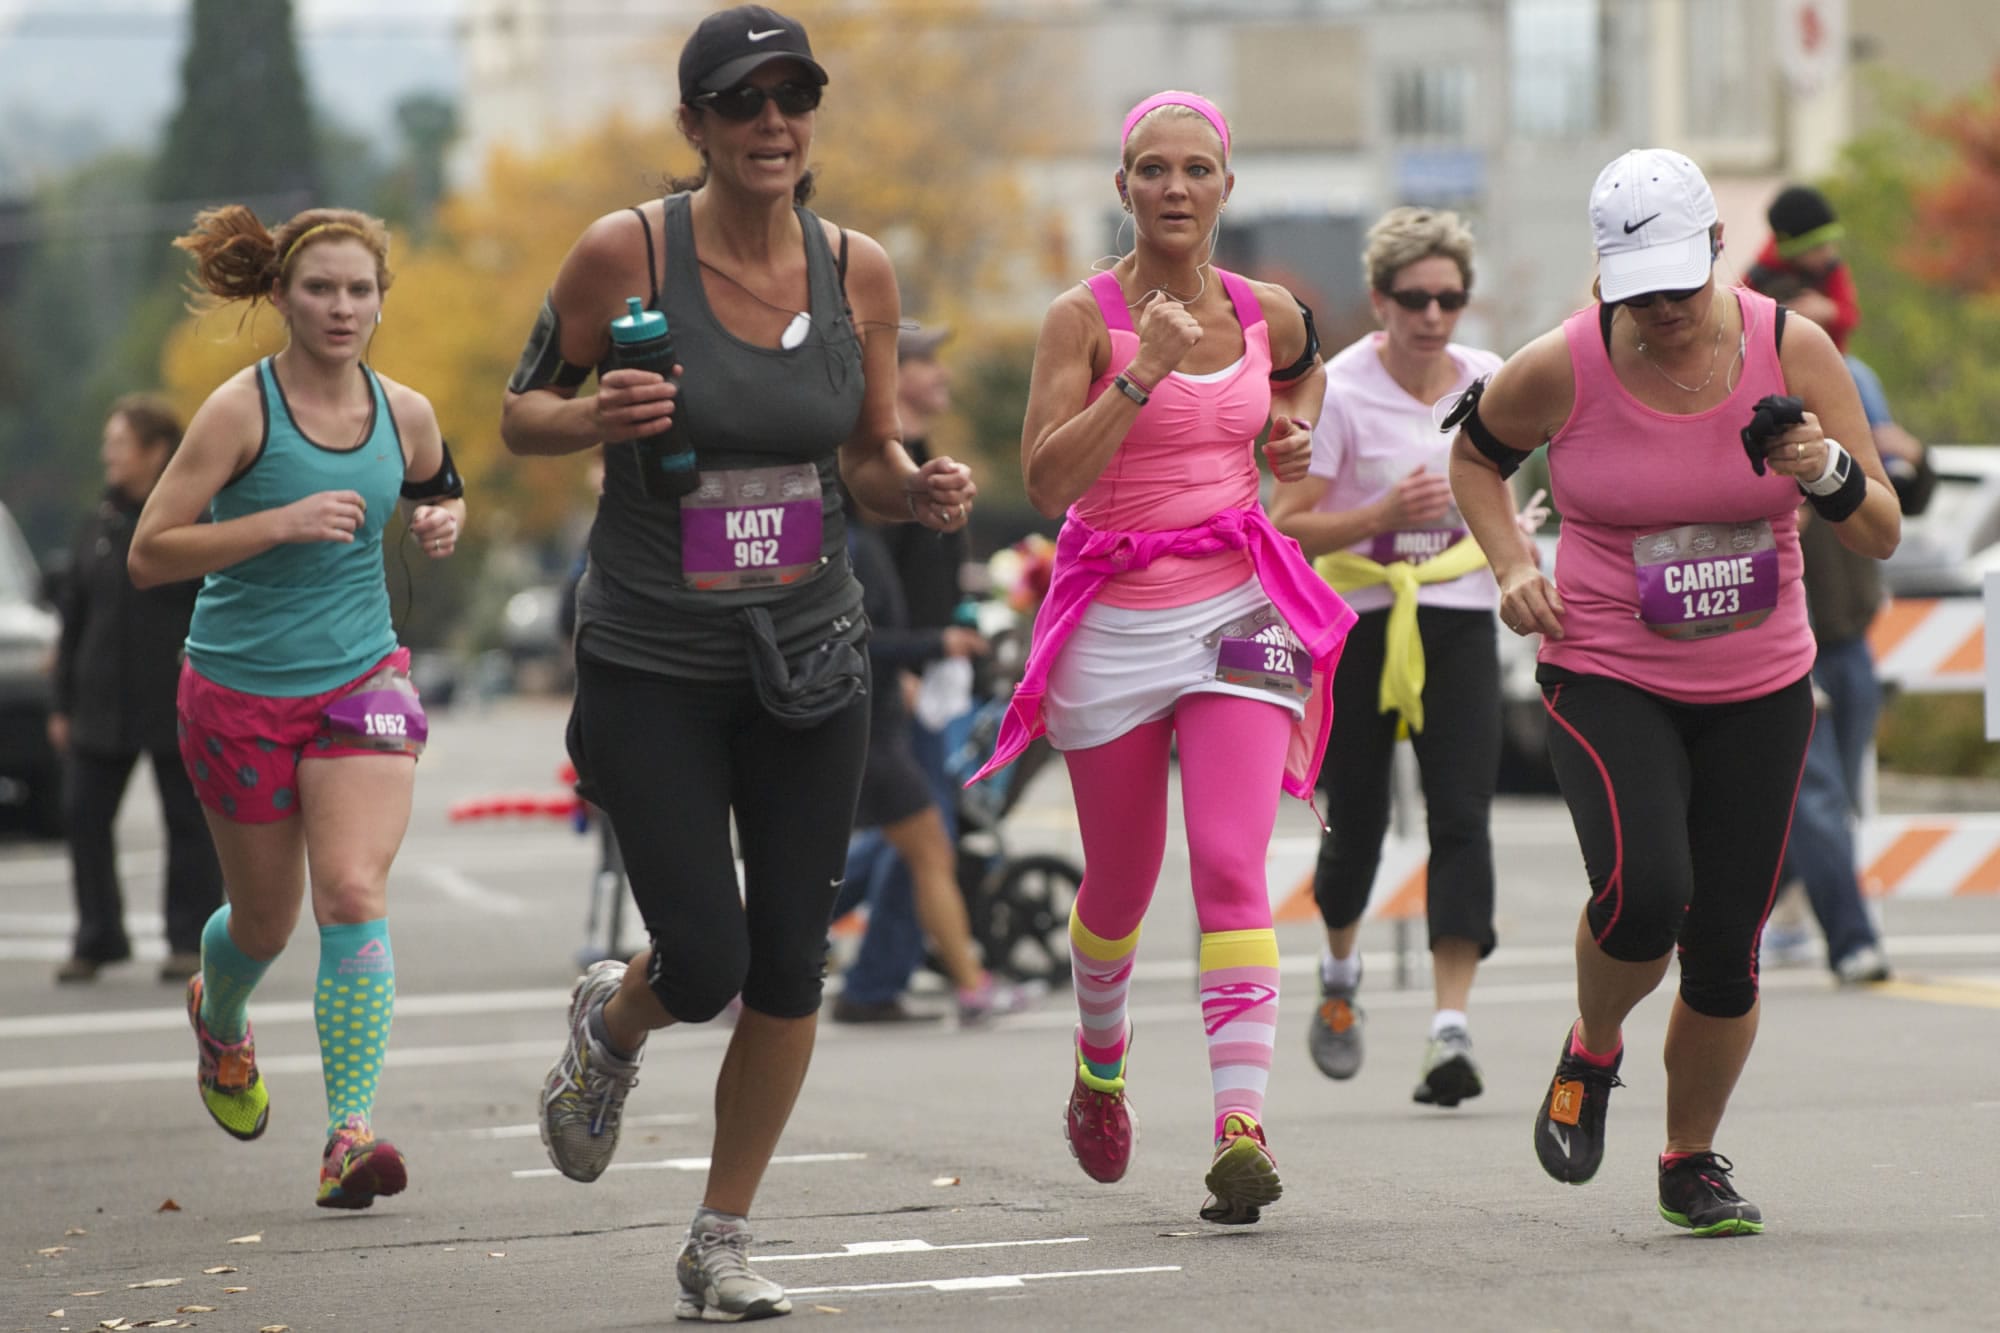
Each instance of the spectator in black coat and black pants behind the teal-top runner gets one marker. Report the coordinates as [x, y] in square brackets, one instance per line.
[117, 670]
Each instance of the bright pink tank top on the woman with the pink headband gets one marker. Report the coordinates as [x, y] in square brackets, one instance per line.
[1187, 457]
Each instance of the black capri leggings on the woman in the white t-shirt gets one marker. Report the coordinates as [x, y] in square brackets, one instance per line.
[1457, 756]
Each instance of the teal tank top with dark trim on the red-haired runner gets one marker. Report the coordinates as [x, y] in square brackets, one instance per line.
[303, 617]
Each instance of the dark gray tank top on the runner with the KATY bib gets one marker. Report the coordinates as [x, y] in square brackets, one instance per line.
[667, 581]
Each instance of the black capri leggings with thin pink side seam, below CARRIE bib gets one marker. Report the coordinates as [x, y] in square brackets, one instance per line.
[1683, 814]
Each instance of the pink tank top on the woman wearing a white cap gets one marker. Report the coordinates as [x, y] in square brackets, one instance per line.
[1679, 565]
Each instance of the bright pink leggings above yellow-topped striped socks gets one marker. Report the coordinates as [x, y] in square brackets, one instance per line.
[1231, 768]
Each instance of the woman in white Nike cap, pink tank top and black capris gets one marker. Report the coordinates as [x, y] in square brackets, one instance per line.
[1677, 653]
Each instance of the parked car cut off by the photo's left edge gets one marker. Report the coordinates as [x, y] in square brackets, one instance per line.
[31, 778]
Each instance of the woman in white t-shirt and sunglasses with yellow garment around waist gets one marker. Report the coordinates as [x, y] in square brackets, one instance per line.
[1379, 509]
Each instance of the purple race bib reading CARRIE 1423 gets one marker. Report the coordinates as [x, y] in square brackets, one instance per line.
[1707, 577]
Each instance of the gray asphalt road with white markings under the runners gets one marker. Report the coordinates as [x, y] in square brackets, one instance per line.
[925, 1184]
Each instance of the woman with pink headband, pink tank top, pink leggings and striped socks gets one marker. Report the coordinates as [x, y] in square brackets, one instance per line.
[1175, 615]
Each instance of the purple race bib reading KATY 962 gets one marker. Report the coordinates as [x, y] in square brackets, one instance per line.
[751, 529]
